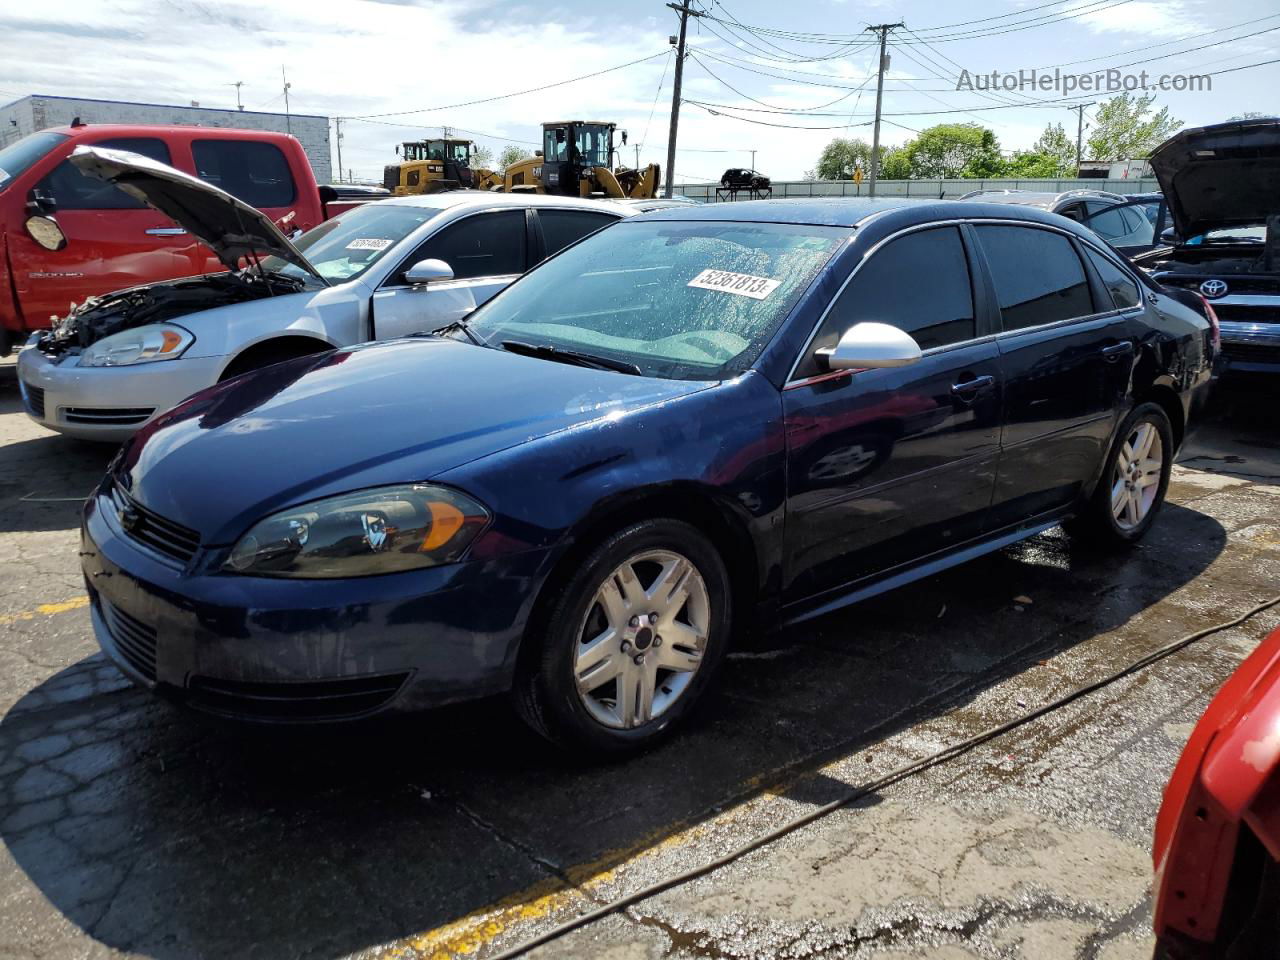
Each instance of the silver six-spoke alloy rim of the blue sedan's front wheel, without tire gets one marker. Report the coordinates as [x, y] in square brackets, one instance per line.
[643, 639]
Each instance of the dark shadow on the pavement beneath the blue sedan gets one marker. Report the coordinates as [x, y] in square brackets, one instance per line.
[161, 835]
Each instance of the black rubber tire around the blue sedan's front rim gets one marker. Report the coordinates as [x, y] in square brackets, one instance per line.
[546, 689]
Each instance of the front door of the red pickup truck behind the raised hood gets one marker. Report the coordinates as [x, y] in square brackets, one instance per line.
[113, 241]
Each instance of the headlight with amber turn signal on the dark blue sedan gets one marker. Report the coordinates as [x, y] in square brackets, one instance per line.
[383, 531]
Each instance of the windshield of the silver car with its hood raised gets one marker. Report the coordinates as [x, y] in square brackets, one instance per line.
[349, 245]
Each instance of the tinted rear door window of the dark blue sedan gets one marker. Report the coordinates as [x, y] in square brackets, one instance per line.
[1037, 275]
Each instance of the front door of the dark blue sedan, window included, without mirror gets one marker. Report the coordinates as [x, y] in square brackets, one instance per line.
[889, 467]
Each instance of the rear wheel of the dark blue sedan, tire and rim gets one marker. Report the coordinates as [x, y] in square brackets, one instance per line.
[1135, 481]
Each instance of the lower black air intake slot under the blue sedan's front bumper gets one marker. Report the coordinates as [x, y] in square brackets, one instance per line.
[301, 701]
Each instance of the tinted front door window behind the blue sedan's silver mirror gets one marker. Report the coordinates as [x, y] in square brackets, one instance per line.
[920, 284]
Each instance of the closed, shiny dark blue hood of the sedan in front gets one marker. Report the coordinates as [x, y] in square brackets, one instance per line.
[378, 414]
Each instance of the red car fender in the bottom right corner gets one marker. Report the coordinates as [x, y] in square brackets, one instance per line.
[1229, 774]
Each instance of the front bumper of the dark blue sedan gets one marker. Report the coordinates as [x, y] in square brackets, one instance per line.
[305, 651]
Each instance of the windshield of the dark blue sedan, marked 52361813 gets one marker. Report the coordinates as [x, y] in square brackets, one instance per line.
[682, 300]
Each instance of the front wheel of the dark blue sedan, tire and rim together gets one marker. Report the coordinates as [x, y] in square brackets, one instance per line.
[630, 642]
